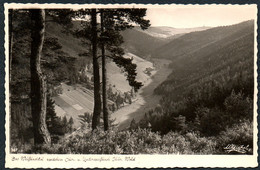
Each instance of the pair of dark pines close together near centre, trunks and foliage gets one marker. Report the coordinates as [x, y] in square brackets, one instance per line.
[115, 20]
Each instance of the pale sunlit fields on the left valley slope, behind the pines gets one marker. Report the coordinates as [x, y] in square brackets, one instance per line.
[76, 100]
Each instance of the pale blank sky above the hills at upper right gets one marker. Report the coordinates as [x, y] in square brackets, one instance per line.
[200, 15]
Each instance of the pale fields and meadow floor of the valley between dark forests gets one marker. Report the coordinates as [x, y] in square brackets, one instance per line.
[75, 100]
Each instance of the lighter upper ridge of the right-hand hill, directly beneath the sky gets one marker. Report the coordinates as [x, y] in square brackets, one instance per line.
[194, 41]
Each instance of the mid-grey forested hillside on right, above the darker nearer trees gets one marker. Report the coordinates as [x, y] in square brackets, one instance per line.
[232, 52]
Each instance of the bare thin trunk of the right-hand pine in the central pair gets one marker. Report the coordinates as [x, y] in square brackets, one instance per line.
[104, 77]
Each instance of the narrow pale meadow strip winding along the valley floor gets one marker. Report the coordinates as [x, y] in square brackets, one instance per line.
[145, 99]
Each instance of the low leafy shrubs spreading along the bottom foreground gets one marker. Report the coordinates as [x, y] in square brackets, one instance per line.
[139, 141]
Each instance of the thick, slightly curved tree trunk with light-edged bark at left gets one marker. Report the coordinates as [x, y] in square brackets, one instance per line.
[38, 83]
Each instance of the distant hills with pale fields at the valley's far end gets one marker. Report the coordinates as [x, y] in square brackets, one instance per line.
[144, 42]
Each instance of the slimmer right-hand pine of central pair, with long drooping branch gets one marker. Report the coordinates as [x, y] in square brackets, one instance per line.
[112, 22]
